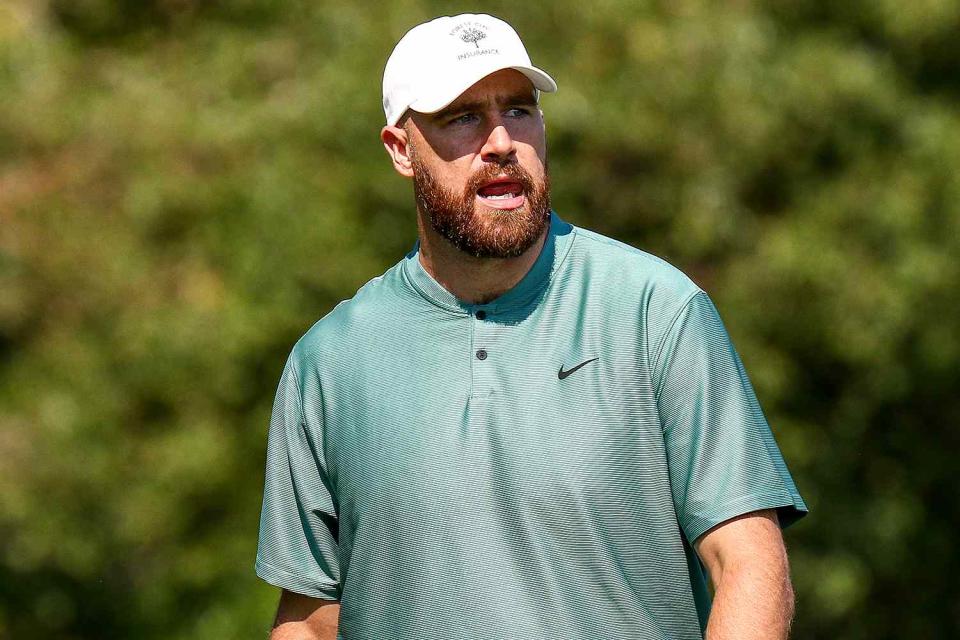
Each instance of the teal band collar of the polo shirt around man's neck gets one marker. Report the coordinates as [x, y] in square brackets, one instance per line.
[528, 290]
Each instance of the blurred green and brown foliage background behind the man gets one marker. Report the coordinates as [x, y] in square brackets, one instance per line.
[187, 185]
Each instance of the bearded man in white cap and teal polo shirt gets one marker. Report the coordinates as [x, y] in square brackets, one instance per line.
[522, 430]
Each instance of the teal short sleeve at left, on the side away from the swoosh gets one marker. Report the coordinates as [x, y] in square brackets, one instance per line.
[297, 550]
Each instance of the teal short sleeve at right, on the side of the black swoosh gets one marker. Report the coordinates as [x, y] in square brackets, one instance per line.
[722, 457]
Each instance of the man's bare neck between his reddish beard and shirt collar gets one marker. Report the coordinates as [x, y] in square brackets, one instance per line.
[473, 280]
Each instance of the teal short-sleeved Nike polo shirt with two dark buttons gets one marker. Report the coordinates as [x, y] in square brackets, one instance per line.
[534, 468]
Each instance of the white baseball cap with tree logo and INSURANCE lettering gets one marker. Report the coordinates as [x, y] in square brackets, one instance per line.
[438, 60]
